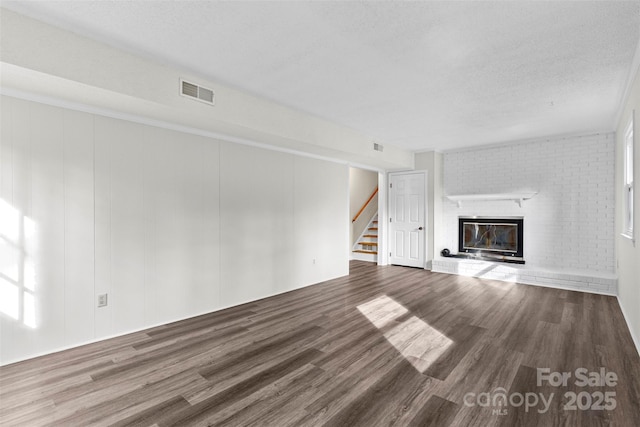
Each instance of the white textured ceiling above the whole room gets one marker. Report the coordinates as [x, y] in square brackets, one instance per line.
[418, 75]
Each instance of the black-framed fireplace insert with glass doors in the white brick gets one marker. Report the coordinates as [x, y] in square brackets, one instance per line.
[499, 238]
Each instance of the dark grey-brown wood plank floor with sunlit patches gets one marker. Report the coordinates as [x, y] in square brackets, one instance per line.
[384, 346]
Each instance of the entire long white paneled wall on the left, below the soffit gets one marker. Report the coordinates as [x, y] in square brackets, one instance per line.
[168, 224]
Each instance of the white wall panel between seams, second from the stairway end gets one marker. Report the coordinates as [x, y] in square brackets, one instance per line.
[255, 223]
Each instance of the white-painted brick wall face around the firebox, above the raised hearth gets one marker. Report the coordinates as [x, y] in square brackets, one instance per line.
[569, 224]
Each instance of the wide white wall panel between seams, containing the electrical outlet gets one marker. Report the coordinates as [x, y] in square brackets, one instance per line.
[156, 225]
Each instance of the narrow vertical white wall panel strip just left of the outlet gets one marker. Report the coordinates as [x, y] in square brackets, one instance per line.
[78, 226]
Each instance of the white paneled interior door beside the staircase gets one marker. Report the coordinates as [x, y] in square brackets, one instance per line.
[407, 219]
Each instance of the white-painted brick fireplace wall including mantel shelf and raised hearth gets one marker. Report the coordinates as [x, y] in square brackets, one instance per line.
[574, 182]
